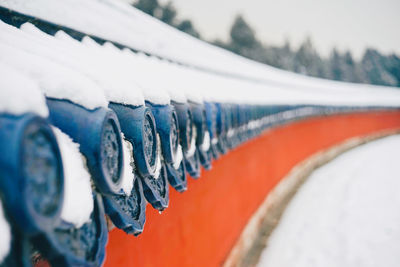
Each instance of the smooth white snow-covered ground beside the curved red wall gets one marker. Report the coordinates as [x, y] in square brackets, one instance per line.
[346, 215]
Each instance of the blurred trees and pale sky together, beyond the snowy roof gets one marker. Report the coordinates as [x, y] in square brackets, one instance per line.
[353, 41]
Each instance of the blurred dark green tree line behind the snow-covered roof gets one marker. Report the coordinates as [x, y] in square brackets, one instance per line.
[372, 68]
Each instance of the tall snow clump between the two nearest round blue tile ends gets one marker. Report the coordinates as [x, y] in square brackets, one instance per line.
[78, 199]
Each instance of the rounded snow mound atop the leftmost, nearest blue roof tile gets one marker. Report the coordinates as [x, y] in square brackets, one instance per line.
[19, 94]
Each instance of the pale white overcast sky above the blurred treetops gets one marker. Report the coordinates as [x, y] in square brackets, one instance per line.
[346, 24]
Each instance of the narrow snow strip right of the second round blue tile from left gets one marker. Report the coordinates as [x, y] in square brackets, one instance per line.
[128, 176]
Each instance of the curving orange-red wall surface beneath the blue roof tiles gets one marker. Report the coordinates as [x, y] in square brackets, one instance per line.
[201, 225]
